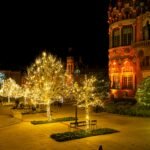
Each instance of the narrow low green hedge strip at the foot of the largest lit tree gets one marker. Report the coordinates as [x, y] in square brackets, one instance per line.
[53, 121]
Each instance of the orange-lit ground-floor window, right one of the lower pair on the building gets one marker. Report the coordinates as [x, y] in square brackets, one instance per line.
[127, 82]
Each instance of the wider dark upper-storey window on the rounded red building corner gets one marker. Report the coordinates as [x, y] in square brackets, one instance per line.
[127, 35]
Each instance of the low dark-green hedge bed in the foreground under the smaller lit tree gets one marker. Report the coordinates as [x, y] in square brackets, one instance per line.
[81, 134]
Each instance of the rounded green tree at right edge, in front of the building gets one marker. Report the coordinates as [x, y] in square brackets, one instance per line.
[143, 92]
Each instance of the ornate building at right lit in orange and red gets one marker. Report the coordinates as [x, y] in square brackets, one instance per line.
[129, 45]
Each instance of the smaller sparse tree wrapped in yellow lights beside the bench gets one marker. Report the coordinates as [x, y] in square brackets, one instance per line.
[85, 95]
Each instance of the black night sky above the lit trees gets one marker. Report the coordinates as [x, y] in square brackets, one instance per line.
[27, 29]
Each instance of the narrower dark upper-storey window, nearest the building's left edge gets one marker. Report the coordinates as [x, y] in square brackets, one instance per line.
[116, 37]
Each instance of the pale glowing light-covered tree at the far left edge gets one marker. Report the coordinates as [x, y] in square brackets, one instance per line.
[10, 89]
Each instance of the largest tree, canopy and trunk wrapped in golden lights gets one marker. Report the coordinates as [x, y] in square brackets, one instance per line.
[45, 79]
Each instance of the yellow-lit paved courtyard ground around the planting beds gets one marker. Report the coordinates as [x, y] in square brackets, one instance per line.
[134, 132]
